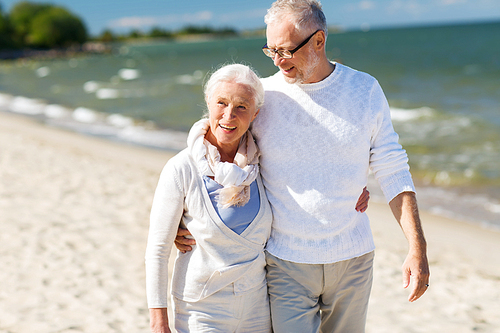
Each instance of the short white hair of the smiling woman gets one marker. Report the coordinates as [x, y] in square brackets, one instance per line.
[236, 73]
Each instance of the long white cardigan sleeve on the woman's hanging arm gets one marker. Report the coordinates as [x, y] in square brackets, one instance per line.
[166, 214]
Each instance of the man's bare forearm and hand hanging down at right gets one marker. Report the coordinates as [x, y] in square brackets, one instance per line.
[405, 210]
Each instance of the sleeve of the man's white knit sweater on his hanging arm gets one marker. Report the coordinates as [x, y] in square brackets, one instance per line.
[388, 159]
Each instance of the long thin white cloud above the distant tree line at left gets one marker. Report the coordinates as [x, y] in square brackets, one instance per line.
[148, 21]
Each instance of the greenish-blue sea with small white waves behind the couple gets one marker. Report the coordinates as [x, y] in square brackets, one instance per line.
[442, 83]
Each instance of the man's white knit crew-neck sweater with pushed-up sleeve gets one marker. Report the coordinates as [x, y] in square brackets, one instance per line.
[318, 142]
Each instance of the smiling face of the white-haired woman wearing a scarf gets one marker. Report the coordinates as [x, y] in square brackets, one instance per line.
[231, 110]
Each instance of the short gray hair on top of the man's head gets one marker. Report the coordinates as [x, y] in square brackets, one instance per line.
[305, 14]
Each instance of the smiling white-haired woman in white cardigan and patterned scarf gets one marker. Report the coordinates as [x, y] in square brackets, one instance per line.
[213, 189]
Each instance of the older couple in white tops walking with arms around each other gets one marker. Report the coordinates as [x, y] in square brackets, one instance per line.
[281, 242]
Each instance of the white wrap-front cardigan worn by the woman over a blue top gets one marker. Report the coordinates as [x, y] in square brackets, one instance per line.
[221, 256]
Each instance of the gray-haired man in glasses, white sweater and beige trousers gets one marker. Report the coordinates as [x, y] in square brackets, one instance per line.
[322, 127]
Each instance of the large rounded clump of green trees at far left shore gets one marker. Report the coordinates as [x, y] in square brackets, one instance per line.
[40, 25]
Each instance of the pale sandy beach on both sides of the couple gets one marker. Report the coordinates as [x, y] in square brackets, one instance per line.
[73, 228]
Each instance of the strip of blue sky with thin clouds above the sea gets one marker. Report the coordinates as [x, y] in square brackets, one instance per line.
[121, 16]
